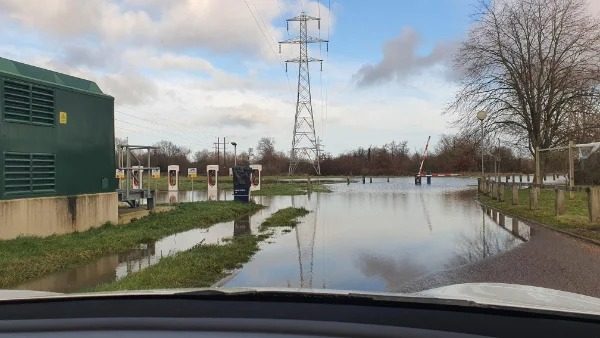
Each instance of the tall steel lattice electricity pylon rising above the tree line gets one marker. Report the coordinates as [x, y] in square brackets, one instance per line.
[305, 144]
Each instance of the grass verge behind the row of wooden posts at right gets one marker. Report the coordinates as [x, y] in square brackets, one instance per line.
[575, 220]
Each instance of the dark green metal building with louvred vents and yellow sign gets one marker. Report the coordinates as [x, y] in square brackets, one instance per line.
[56, 134]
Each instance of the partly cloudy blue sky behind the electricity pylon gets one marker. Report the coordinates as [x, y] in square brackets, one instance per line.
[192, 71]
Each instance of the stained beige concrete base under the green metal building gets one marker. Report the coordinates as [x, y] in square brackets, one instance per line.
[46, 216]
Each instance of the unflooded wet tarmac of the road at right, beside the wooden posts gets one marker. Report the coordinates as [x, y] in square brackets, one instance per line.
[549, 259]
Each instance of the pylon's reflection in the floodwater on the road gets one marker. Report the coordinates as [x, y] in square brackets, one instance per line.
[305, 239]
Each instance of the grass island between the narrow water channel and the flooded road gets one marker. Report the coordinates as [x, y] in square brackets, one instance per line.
[200, 266]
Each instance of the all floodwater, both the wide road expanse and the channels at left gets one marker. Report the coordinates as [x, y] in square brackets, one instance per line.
[370, 237]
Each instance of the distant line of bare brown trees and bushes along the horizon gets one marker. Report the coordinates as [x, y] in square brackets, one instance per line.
[453, 153]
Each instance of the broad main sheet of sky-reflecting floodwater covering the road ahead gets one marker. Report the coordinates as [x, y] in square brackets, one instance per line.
[374, 237]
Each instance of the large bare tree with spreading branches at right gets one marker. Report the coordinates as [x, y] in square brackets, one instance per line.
[534, 66]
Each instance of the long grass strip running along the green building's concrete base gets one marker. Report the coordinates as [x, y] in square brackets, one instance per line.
[26, 258]
